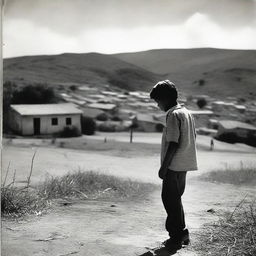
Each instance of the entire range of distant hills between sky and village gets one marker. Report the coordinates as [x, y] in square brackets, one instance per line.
[216, 72]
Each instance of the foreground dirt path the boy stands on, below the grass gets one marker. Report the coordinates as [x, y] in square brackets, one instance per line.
[115, 228]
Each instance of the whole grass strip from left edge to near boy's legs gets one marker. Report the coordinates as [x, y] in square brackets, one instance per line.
[17, 201]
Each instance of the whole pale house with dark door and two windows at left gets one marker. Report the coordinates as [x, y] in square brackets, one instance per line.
[44, 119]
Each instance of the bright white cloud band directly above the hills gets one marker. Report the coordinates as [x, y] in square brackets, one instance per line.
[197, 31]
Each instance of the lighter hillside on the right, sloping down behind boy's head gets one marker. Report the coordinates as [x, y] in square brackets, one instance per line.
[225, 72]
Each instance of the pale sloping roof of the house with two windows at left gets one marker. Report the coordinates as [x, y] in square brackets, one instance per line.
[46, 109]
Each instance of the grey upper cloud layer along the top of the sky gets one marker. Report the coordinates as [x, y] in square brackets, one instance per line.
[65, 16]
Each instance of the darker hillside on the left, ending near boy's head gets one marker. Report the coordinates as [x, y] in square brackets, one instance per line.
[91, 68]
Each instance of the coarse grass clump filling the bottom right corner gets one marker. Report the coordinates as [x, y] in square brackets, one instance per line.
[234, 234]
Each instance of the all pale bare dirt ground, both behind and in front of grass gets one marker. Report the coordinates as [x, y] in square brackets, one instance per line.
[114, 228]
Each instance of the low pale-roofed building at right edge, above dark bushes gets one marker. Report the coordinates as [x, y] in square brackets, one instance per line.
[240, 129]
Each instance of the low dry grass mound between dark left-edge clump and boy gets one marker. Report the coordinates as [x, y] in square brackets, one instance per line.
[92, 185]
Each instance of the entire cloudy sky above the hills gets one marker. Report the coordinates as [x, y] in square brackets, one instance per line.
[32, 27]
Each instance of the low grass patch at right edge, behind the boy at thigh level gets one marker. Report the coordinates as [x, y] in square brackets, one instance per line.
[236, 176]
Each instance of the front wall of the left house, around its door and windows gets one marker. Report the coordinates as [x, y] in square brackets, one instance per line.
[46, 126]
